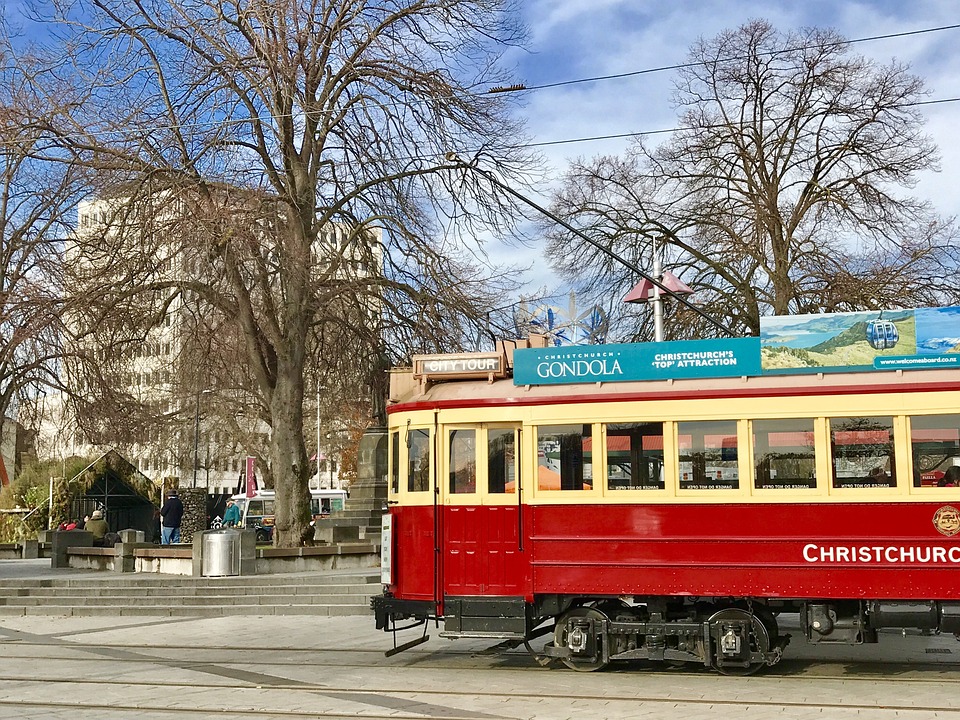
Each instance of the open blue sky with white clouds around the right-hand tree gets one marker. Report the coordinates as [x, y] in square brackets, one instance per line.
[574, 39]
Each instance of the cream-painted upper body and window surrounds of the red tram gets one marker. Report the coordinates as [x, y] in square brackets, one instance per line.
[600, 409]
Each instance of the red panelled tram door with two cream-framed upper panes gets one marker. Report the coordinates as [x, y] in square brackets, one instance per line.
[481, 527]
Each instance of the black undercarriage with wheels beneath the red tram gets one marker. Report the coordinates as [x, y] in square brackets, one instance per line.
[734, 636]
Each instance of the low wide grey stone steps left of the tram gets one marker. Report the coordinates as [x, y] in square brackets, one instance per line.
[99, 593]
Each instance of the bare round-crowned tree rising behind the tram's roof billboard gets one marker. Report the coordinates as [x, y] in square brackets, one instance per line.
[780, 192]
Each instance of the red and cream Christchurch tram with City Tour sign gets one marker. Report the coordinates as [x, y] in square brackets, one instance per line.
[667, 501]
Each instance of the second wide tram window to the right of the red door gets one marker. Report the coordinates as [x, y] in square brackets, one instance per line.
[635, 456]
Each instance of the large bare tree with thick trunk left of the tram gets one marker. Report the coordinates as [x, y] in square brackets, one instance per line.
[242, 134]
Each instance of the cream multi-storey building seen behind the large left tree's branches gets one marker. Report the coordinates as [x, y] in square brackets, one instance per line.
[198, 439]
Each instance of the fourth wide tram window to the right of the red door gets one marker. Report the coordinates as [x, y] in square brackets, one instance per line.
[783, 454]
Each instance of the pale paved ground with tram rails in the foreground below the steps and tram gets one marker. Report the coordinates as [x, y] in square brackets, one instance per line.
[155, 668]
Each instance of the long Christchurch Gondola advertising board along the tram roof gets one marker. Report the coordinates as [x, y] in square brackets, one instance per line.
[788, 344]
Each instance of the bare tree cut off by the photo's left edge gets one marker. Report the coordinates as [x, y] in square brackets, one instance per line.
[38, 187]
